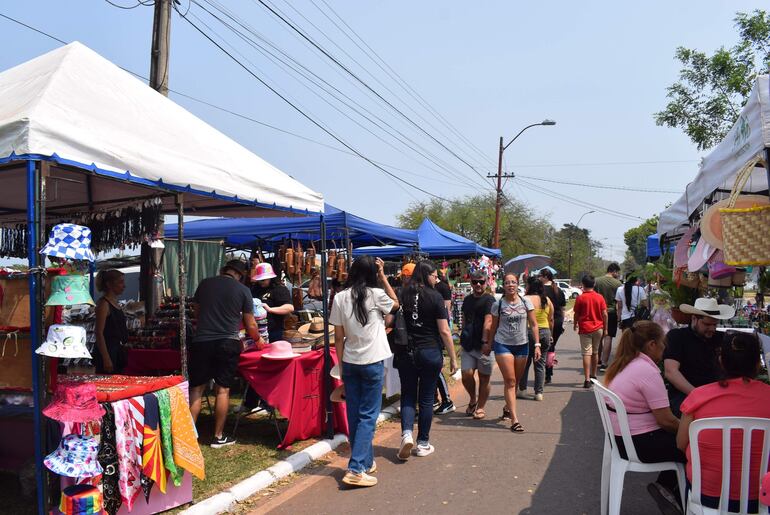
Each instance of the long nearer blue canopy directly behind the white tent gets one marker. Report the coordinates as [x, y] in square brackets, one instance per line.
[266, 232]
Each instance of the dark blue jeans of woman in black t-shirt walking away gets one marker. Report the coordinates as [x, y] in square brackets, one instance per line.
[418, 384]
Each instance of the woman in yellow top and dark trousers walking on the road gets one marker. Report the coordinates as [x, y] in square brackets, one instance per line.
[538, 335]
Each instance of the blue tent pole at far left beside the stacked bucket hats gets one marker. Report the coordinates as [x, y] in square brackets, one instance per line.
[35, 319]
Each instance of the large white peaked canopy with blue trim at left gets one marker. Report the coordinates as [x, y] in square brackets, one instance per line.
[73, 108]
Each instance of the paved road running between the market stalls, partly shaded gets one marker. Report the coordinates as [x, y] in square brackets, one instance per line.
[480, 466]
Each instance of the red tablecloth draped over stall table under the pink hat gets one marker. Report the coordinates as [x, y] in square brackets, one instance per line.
[295, 387]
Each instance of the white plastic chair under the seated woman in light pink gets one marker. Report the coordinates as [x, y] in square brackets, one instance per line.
[614, 467]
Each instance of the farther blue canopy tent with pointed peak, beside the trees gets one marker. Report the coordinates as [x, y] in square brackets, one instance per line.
[434, 241]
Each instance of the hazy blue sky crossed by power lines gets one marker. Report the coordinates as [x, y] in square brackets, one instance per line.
[599, 69]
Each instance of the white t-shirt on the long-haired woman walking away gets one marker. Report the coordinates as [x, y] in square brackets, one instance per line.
[363, 344]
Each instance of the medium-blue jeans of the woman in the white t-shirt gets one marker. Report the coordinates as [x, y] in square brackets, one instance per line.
[363, 396]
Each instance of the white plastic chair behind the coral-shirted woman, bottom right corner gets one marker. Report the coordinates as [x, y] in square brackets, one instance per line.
[725, 424]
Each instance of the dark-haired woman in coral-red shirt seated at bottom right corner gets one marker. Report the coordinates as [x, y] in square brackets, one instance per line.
[739, 394]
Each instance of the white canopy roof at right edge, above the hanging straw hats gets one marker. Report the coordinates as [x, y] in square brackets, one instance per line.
[746, 142]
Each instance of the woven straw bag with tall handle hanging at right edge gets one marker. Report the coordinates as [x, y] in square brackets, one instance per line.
[746, 232]
